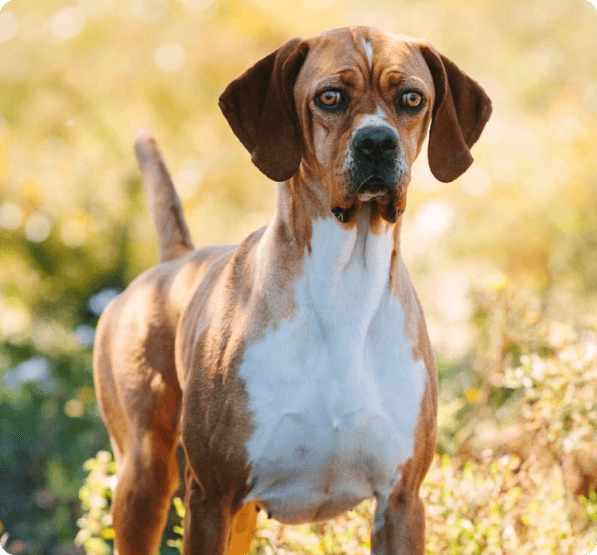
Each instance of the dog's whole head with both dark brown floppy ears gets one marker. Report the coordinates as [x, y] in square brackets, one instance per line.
[352, 106]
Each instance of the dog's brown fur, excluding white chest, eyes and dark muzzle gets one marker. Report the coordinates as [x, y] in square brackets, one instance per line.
[168, 348]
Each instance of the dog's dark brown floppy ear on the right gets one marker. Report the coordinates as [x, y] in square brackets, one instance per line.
[460, 113]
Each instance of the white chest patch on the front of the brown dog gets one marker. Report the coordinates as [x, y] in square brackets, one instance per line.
[334, 391]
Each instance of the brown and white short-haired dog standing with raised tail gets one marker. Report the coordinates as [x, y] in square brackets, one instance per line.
[295, 368]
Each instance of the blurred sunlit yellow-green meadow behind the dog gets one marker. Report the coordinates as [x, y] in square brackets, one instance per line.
[504, 259]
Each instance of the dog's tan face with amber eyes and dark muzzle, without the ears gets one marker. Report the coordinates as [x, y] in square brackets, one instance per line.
[364, 111]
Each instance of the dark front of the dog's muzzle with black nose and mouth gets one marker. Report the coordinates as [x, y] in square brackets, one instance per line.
[374, 169]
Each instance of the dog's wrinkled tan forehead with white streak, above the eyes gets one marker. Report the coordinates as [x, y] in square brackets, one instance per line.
[365, 50]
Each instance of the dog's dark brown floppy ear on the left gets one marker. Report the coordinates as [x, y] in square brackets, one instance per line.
[259, 106]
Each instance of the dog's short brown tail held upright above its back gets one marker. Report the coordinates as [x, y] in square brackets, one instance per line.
[173, 233]
